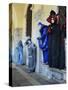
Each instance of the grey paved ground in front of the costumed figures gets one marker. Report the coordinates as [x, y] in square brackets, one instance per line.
[21, 77]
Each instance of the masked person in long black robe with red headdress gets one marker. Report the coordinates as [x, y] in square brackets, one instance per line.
[53, 41]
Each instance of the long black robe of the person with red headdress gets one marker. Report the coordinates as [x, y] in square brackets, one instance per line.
[54, 46]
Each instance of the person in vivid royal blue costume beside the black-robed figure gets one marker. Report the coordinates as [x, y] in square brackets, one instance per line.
[43, 41]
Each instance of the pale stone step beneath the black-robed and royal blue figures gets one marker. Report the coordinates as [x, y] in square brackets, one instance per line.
[53, 73]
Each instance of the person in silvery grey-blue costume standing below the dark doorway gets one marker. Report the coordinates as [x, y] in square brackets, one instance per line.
[31, 55]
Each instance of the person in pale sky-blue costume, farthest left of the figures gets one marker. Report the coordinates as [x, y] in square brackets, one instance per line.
[19, 53]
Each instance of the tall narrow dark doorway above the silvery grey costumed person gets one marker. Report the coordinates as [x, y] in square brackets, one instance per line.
[29, 20]
